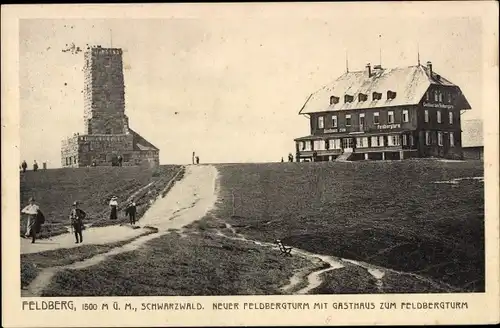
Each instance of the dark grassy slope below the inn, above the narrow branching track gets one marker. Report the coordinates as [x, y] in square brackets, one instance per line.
[391, 214]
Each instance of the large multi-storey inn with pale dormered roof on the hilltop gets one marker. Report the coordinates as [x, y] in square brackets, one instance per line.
[382, 113]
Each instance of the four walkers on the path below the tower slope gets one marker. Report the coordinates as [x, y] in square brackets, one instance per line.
[76, 217]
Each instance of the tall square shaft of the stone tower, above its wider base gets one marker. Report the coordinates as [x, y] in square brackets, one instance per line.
[104, 91]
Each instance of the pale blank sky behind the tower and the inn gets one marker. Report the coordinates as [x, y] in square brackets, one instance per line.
[236, 83]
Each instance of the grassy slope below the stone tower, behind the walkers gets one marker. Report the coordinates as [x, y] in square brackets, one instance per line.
[56, 190]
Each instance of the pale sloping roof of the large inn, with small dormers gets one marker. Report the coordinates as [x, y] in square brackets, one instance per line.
[410, 84]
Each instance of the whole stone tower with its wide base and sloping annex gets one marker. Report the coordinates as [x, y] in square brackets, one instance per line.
[108, 135]
